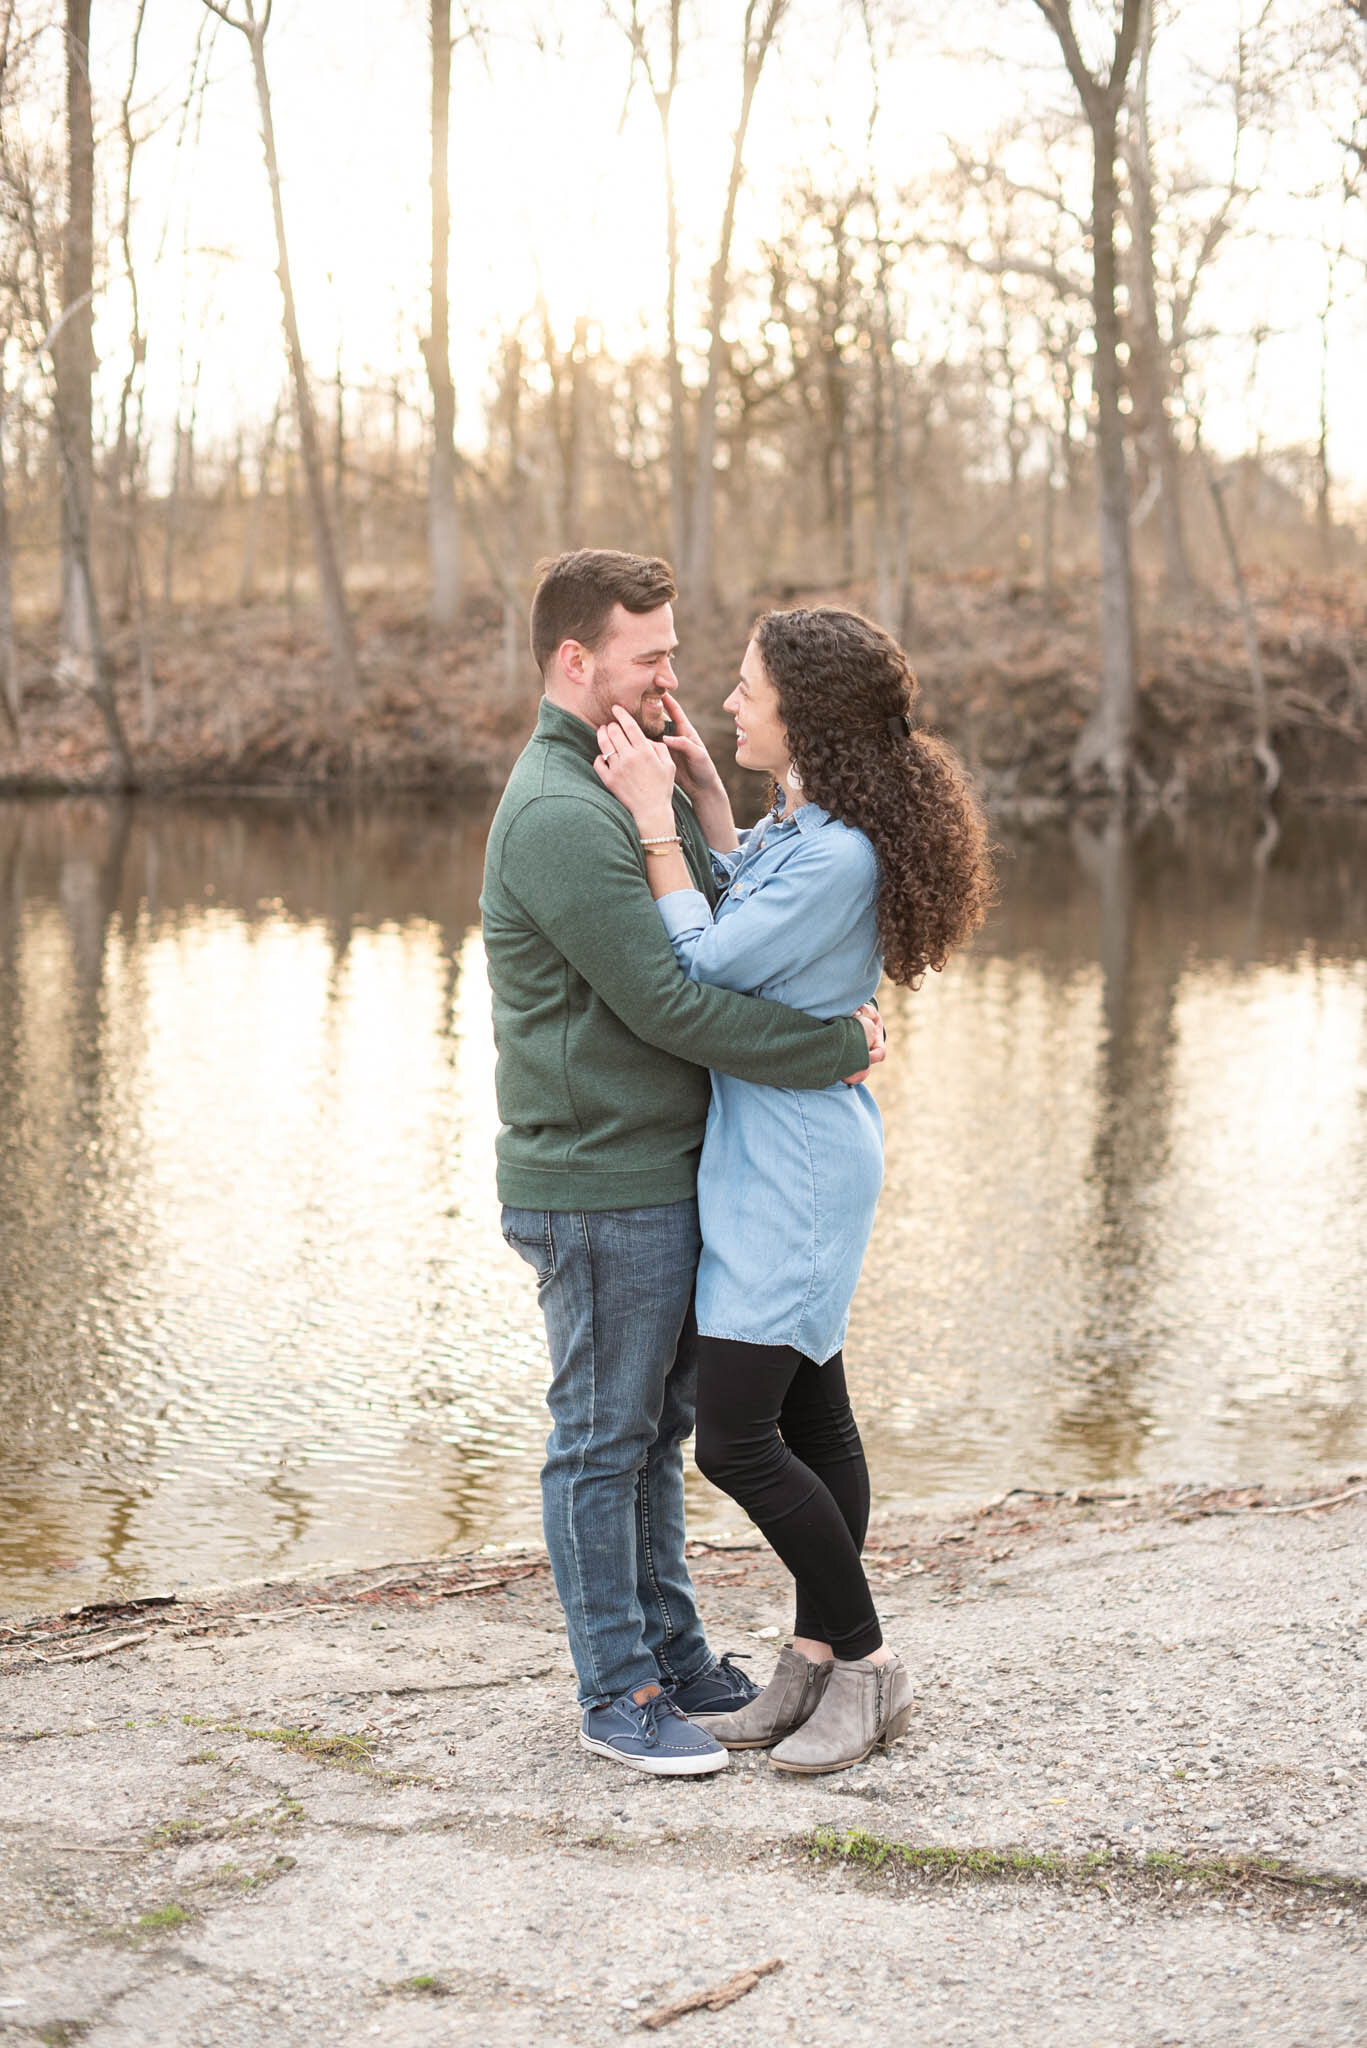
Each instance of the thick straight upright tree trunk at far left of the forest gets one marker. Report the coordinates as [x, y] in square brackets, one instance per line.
[75, 347]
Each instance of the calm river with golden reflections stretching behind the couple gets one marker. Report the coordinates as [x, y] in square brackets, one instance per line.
[255, 1312]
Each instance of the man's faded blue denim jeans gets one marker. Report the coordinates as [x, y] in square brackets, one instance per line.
[616, 1289]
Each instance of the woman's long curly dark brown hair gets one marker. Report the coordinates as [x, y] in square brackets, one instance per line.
[845, 699]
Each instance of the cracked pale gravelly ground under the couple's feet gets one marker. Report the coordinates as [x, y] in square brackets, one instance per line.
[351, 1807]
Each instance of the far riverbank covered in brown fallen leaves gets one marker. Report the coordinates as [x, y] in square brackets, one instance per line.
[239, 699]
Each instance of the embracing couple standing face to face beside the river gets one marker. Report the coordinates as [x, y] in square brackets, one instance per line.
[690, 1158]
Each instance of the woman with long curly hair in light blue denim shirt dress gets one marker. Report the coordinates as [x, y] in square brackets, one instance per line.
[872, 859]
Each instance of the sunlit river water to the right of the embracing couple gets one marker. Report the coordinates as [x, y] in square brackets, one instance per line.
[1124, 1226]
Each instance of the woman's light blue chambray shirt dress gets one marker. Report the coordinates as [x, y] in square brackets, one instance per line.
[790, 1179]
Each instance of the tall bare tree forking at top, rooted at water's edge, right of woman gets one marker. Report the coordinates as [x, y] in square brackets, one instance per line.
[1106, 746]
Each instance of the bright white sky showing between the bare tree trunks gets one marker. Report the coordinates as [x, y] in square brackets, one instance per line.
[558, 196]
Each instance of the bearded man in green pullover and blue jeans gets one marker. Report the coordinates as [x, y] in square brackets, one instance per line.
[604, 1054]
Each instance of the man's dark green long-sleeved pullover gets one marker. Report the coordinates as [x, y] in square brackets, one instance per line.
[604, 1043]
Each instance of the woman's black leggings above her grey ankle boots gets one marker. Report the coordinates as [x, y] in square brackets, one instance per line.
[778, 1435]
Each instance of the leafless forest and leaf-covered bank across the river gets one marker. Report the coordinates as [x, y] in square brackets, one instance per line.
[970, 402]
